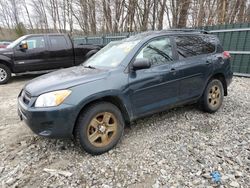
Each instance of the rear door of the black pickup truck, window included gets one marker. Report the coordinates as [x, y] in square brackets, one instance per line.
[61, 51]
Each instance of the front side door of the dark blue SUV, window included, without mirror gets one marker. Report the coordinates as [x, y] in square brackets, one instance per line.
[155, 88]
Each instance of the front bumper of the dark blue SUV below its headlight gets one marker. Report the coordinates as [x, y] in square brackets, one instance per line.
[54, 122]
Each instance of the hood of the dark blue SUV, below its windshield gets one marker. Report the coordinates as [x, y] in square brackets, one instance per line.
[63, 79]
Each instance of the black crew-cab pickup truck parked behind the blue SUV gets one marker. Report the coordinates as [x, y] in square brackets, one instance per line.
[42, 52]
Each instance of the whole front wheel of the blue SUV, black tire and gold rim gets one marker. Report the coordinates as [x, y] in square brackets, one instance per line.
[84, 127]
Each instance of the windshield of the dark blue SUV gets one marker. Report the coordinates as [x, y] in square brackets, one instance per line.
[112, 54]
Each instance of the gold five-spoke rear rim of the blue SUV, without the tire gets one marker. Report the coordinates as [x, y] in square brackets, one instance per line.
[214, 96]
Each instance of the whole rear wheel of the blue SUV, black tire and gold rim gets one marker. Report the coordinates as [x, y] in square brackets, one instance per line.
[213, 96]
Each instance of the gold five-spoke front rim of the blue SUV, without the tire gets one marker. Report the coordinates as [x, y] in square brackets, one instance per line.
[102, 129]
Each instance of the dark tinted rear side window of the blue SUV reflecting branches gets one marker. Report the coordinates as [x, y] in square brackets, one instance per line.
[188, 46]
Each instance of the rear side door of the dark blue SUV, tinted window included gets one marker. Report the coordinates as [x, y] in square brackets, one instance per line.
[195, 54]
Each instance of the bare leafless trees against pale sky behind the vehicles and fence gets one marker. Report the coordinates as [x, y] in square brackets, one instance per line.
[90, 17]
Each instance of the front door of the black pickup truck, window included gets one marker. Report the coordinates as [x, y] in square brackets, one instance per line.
[35, 57]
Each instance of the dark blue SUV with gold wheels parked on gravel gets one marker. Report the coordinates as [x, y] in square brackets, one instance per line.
[124, 81]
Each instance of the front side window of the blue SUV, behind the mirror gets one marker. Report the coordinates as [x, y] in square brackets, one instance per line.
[158, 51]
